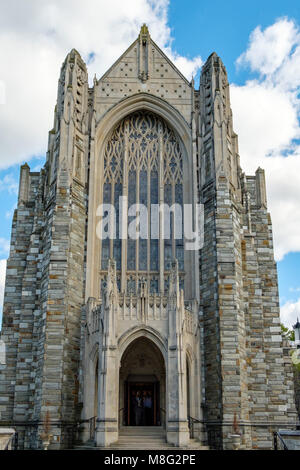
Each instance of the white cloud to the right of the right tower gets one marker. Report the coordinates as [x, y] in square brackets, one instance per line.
[266, 117]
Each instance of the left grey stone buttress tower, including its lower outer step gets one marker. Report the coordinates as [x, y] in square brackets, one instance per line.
[45, 279]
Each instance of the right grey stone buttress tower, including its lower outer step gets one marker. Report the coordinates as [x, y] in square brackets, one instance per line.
[241, 321]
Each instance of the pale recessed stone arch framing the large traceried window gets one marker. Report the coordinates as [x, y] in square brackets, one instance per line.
[103, 128]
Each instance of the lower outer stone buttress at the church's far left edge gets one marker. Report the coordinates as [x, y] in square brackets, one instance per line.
[21, 302]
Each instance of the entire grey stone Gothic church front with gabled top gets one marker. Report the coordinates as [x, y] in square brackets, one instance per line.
[213, 344]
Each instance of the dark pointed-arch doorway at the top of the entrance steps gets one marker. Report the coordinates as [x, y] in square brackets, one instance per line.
[142, 385]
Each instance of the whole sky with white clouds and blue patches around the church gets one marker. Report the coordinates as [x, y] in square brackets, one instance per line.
[259, 43]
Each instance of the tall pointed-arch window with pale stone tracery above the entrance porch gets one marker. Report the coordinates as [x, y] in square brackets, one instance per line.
[143, 161]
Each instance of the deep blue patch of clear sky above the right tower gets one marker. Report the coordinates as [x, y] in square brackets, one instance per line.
[200, 27]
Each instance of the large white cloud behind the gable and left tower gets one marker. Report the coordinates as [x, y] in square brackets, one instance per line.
[35, 38]
